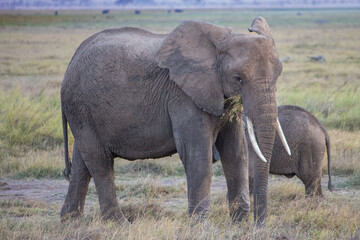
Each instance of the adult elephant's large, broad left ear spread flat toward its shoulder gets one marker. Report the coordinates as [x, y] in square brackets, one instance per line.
[190, 53]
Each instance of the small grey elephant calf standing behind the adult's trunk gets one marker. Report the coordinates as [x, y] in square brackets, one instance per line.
[307, 139]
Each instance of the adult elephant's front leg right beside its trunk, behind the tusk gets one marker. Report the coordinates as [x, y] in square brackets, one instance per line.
[232, 146]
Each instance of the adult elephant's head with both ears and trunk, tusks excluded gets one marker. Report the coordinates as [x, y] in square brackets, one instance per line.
[211, 63]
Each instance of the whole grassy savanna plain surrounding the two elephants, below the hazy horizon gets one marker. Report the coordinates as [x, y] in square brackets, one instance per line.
[35, 49]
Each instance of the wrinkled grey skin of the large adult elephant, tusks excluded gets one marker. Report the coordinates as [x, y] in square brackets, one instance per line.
[134, 94]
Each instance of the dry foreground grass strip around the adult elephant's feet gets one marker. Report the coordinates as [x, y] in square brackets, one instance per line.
[291, 216]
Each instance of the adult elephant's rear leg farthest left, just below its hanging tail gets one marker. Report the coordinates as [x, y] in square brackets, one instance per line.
[78, 186]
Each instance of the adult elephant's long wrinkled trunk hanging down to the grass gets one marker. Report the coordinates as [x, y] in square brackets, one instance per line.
[264, 117]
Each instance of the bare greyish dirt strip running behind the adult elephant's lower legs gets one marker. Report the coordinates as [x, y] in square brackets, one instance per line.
[54, 191]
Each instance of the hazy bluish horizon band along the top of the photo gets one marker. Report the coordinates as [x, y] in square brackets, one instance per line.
[171, 4]
